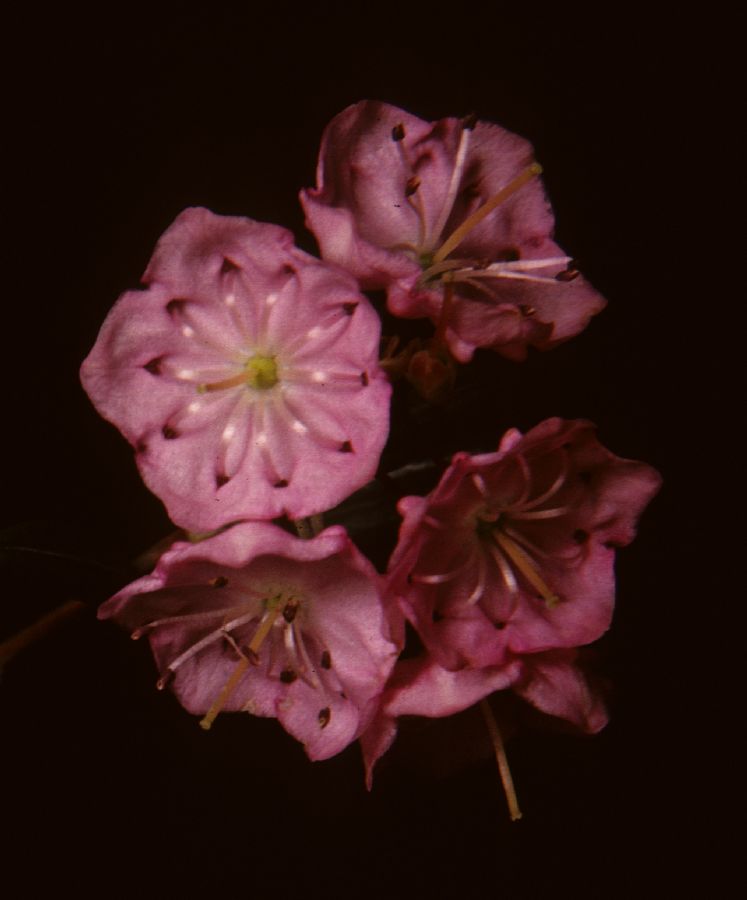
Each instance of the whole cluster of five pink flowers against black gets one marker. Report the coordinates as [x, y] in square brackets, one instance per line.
[246, 375]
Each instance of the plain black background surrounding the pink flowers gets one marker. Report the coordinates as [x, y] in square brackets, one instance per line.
[114, 126]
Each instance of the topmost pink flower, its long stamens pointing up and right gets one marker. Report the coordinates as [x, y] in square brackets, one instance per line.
[452, 220]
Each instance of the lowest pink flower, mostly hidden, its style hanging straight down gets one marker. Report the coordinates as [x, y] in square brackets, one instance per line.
[420, 687]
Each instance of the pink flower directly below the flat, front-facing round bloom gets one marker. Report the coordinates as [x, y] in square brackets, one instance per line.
[257, 620]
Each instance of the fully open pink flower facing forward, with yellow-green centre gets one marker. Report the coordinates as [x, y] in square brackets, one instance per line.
[246, 375]
